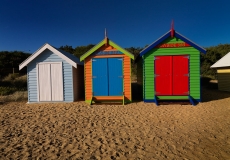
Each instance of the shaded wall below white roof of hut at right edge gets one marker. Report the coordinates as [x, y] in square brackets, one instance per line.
[223, 79]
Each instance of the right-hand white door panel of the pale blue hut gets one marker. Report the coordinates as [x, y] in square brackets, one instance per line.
[56, 82]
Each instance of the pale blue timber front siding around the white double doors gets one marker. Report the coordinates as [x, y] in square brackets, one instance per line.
[48, 56]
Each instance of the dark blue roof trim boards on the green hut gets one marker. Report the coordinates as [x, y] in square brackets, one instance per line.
[167, 35]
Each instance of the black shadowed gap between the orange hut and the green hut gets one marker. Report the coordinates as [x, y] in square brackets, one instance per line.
[137, 92]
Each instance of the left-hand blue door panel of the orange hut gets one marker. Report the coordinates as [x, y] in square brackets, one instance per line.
[100, 77]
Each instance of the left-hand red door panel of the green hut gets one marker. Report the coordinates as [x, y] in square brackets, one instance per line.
[163, 75]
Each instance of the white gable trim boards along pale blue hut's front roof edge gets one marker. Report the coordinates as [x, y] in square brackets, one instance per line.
[40, 50]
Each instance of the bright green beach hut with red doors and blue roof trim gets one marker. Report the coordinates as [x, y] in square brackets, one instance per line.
[169, 69]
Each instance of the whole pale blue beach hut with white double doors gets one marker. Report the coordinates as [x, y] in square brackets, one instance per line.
[53, 75]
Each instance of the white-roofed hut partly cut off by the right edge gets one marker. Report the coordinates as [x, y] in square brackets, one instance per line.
[223, 72]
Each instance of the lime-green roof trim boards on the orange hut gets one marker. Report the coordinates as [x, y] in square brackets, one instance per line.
[111, 43]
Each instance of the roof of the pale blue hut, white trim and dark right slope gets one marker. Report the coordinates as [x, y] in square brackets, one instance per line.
[71, 59]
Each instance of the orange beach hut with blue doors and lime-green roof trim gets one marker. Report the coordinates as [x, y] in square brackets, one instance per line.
[107, 73]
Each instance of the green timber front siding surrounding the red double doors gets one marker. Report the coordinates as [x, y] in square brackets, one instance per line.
[194, 69]
